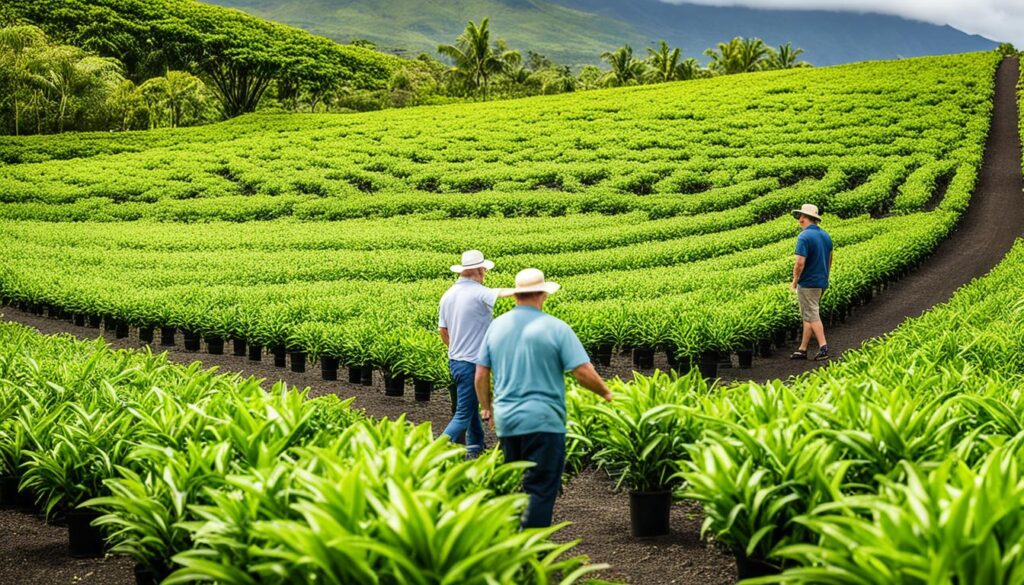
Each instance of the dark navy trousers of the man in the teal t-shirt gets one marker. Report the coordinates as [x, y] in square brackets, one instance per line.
[543, 482]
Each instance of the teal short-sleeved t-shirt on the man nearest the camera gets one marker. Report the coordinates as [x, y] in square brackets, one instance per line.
[529, 353]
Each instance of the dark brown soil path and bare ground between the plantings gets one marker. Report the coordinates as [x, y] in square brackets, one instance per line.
[994, 221]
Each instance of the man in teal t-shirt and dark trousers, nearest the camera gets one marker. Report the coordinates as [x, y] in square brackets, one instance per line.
[529, 352]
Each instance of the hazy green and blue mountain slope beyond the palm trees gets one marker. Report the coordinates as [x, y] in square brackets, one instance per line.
[576, 32]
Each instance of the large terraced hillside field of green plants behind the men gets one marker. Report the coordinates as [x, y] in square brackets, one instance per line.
[331, 236]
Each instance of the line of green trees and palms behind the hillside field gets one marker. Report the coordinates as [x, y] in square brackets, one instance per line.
[125, 65]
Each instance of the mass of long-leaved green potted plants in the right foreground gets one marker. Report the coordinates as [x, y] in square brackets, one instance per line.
[901, 465]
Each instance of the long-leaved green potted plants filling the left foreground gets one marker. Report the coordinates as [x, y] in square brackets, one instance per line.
[207, 478]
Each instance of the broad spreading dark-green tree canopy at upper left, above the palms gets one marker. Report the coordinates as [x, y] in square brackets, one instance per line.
[237, 55]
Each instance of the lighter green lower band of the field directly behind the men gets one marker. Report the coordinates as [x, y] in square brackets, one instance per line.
[267, 285]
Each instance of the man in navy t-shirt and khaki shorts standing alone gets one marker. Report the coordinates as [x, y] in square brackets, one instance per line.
[810, 278]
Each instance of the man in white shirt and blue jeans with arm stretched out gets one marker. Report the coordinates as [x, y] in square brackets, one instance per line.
[466, 312]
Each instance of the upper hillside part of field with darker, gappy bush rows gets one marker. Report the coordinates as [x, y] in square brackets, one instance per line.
[551, 155]
